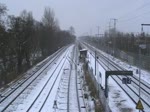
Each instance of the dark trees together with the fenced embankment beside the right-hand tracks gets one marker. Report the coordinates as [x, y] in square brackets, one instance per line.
[125, 46]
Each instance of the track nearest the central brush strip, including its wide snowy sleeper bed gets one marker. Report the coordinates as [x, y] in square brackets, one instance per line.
[69, 96]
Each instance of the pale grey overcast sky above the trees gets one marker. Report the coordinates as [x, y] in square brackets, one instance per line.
[86, 15]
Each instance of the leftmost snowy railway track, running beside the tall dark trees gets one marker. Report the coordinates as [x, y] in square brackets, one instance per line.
[19, 88]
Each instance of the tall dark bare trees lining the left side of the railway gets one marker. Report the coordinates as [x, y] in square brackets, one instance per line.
[24, 40]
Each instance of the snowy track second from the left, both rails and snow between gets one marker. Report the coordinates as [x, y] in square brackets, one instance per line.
[41, 98]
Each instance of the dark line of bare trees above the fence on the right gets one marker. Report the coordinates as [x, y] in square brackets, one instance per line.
[127, 42]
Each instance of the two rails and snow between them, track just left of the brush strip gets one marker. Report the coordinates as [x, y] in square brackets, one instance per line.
[73, 103]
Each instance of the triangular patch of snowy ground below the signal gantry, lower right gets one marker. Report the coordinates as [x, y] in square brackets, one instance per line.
[118, 100]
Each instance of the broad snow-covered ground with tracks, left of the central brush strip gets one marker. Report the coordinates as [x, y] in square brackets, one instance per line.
[40, 92]
